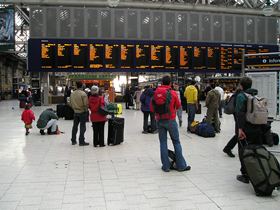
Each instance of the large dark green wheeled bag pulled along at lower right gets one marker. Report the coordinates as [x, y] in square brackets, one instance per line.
[262, 168]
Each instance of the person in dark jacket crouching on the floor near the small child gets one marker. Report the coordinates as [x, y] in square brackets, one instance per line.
[48, 120]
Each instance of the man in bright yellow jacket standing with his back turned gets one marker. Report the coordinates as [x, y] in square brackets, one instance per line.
[191, 95]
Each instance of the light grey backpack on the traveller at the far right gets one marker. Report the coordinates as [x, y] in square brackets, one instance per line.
[256, 112]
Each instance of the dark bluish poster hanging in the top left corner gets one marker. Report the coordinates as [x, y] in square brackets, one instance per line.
[7, 25]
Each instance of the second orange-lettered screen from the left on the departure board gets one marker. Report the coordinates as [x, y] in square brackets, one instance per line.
[63, 59]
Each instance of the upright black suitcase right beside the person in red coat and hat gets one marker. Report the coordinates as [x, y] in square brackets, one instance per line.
[115, 131]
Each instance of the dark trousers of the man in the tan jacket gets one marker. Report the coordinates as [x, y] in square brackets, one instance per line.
[79, 118]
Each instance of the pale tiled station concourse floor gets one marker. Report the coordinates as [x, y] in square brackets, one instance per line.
[47, 172]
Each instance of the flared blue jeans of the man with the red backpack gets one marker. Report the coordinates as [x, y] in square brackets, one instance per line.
[172, 127]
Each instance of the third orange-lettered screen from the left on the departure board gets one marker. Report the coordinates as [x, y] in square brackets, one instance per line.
[80, 56]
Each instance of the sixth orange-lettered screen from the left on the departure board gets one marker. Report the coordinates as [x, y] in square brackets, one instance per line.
[127, 56]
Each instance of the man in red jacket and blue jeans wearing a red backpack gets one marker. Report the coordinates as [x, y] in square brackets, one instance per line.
[164, 104]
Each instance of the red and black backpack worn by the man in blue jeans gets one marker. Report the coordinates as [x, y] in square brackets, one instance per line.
[161, 102]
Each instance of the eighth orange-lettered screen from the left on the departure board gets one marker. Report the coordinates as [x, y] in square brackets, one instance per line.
[157, 56]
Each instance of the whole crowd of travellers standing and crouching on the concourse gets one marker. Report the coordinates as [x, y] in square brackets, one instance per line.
[160, 106]
